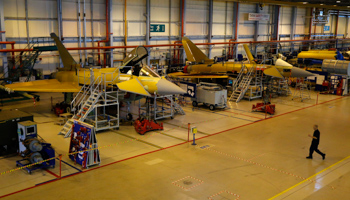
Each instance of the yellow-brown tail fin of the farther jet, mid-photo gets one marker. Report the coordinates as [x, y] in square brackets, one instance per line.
[193, 53]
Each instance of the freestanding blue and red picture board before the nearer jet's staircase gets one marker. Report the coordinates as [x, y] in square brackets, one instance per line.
[83, 145]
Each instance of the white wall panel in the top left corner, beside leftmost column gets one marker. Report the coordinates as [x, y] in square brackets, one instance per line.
[14, 8]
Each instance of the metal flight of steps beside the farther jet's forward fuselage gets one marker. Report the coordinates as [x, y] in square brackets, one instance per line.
[243, 85]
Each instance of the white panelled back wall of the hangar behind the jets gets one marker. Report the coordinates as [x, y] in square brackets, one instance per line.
[43, 19]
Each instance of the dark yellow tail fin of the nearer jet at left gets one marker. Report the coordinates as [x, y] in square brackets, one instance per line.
[69, 63]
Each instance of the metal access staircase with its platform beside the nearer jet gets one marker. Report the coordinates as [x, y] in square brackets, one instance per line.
[92, 99]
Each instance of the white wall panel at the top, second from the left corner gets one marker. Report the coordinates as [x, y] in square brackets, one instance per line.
[42, 9]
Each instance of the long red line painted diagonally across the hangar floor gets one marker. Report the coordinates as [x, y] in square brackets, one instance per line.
[158, 150]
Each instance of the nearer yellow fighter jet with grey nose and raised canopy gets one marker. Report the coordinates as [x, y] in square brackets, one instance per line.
[69, 78]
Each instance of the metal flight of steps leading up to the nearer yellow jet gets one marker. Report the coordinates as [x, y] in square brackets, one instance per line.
[86, 107]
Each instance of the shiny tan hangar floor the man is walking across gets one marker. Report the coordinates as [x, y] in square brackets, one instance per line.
[238, 154]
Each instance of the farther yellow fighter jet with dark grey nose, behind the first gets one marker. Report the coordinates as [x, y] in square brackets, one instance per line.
[203, 67]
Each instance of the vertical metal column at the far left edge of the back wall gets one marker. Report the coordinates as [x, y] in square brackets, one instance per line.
[4, 63]
